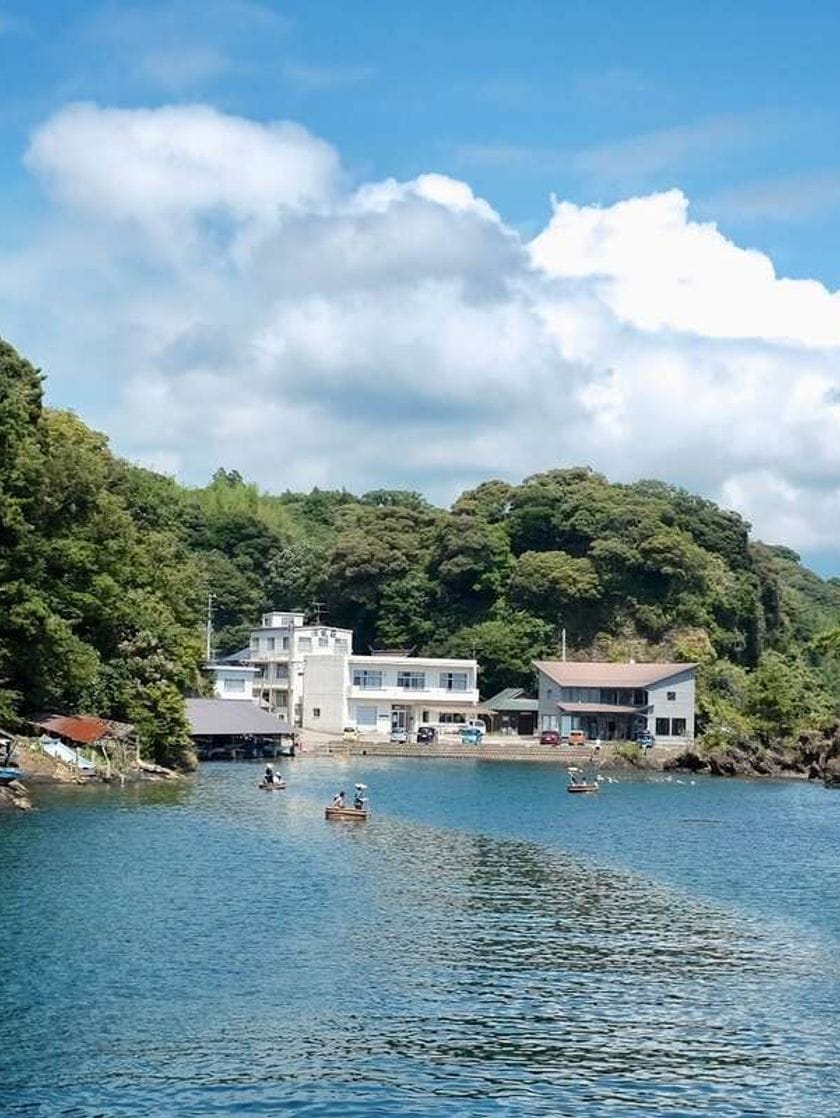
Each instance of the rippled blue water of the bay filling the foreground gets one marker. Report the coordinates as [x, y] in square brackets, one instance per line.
[486, 945]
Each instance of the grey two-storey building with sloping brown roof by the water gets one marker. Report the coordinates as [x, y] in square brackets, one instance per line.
[616, 703]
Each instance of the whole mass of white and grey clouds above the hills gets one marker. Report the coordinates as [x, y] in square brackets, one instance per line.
[401, 334]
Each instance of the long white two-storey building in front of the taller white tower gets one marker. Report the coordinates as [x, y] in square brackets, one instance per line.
[385, 693]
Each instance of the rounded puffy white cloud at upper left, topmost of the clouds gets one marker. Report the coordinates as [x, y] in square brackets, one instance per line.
[159, 165]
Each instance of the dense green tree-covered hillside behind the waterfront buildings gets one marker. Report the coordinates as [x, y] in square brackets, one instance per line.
[105, 571]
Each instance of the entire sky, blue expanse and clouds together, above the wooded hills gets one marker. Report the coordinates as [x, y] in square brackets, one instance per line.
[377, 245]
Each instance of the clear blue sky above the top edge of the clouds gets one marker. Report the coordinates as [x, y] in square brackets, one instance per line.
[738, 105]
